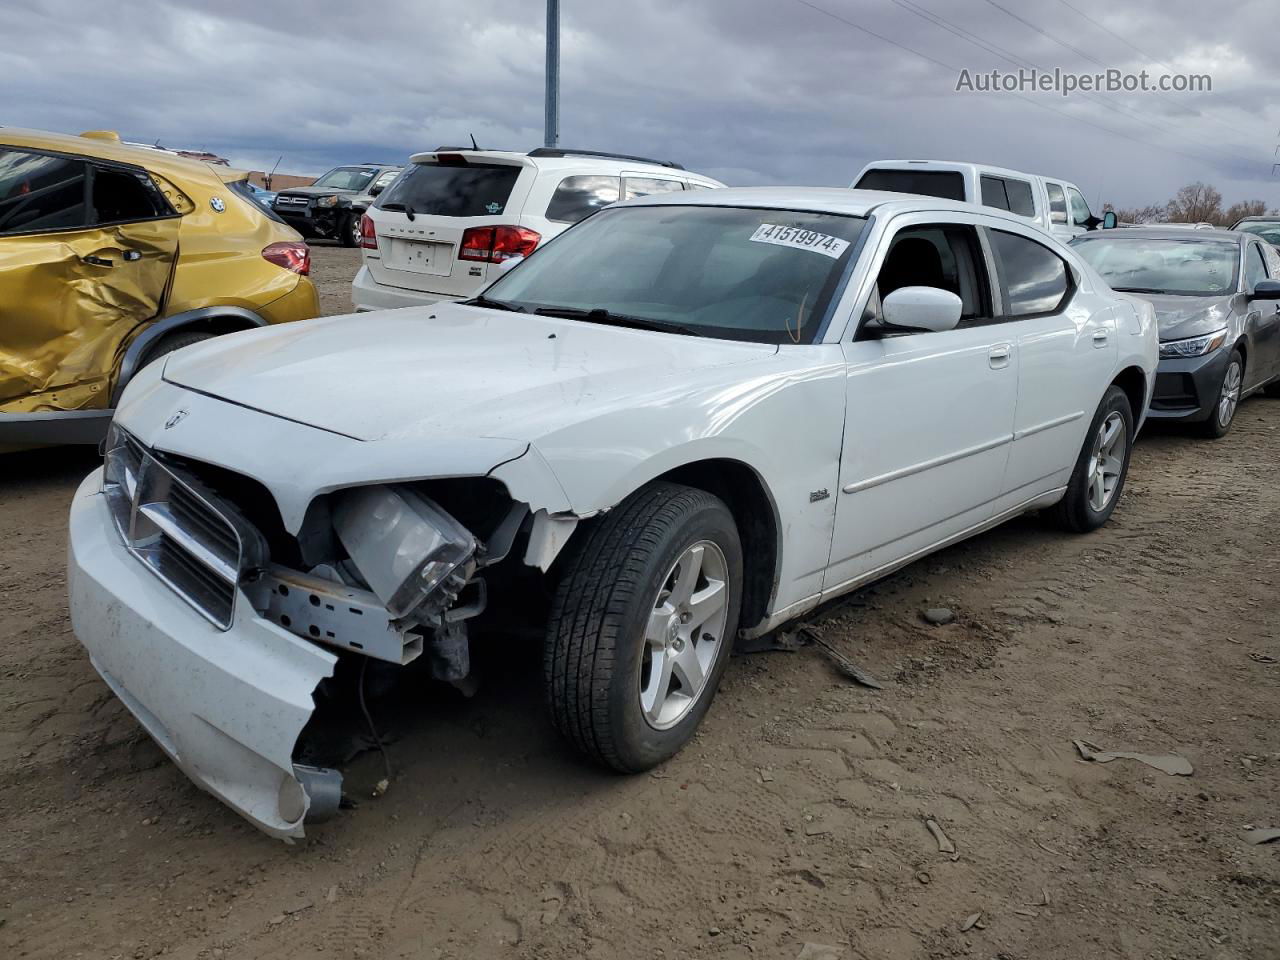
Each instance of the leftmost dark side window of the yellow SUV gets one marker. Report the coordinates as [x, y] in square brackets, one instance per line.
[40, 193]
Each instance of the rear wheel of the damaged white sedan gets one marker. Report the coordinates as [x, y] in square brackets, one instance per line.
[1101, 468]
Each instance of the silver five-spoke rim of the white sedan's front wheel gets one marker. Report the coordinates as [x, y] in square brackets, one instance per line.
[685, 633]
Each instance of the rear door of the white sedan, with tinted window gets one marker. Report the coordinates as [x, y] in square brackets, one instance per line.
[1067, 350]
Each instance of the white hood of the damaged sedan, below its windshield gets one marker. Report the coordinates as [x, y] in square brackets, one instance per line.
[445, 372]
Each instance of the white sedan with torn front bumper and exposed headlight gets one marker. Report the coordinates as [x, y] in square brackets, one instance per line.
[688, 418]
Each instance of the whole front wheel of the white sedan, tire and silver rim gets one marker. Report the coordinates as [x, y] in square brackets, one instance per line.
[642, 627]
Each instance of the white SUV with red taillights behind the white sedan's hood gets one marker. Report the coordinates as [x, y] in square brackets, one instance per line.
[455, 214]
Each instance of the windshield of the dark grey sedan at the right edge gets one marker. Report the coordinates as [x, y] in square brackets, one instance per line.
[1187, 268]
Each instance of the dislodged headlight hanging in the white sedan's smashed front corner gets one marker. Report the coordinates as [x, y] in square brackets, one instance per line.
[405, 547]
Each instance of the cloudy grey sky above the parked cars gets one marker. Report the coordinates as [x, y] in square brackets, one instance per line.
[749, 92]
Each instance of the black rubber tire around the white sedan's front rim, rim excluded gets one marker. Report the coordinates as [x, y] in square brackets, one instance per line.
[595, 660]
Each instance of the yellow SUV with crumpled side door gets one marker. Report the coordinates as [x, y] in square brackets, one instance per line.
[115, 255]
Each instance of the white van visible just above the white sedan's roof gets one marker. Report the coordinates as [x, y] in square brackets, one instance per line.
[1059, 207]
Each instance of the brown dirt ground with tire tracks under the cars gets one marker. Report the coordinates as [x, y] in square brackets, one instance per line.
[796, 817]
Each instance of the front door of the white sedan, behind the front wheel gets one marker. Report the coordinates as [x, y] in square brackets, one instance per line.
[929, 415]
